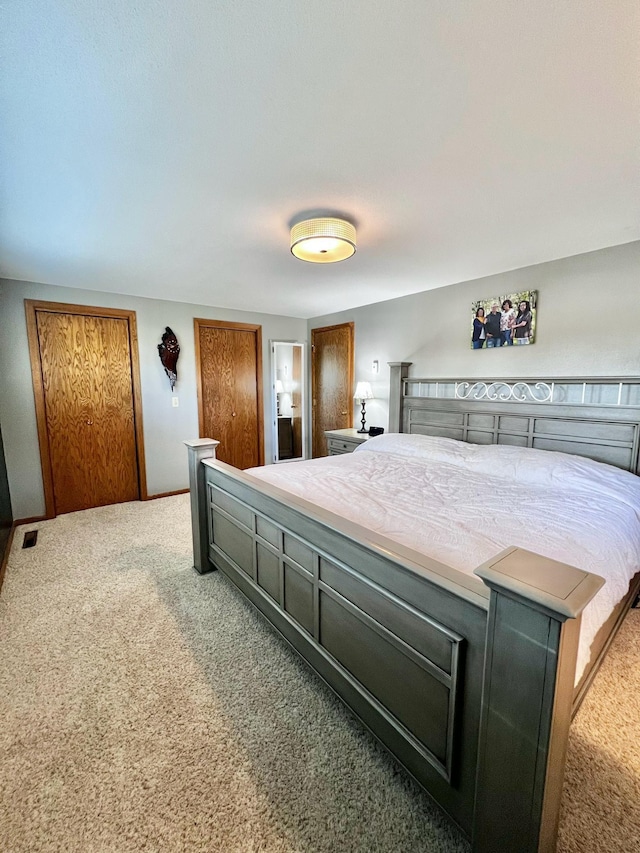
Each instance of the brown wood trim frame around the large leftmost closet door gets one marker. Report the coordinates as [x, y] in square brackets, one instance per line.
[32, 306]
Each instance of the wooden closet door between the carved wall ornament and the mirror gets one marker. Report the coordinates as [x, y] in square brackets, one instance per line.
[229, 366]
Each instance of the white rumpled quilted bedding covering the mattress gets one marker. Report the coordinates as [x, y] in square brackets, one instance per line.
[463, 503]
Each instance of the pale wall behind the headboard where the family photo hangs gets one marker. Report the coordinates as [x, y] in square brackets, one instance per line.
[588, 323]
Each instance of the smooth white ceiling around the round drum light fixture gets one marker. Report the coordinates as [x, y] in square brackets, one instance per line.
[162, 147]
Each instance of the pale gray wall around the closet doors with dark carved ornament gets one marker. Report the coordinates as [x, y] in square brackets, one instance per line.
[165, 427]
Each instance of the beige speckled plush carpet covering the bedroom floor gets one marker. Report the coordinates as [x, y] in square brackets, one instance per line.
[143, 707]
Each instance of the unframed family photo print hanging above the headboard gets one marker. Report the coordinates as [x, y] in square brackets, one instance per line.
[504, 321]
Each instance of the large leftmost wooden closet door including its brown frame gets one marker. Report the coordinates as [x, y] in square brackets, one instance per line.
[89, 421]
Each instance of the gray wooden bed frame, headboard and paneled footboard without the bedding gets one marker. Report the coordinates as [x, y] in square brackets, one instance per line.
[467, 680]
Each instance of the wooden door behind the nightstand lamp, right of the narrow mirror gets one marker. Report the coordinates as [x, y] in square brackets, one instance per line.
[332, 382]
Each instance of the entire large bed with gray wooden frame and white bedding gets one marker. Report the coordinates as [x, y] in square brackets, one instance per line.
[467, 669]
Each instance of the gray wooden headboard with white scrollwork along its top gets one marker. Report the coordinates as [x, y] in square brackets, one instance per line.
[598, 417]
